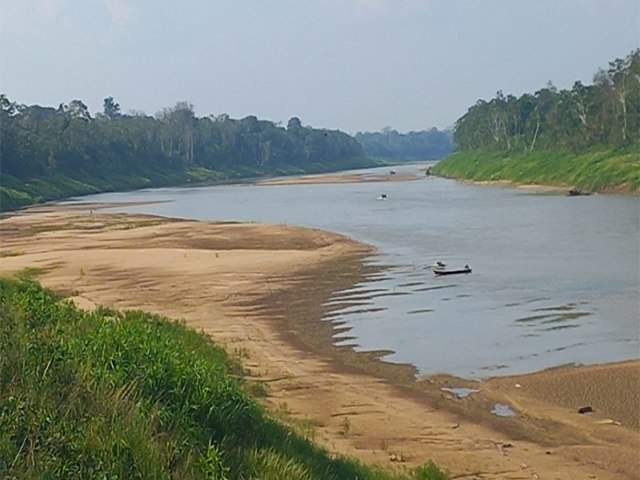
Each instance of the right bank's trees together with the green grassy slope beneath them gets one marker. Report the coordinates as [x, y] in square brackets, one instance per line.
[587, 138]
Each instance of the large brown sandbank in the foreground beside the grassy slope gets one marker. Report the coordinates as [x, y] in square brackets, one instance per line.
[260, 289]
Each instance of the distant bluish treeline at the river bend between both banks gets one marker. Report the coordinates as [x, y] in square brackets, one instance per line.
[423, 145]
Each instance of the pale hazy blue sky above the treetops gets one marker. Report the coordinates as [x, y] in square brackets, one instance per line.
[354, 65]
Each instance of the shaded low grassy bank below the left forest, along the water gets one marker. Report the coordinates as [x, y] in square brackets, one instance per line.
[15, 193]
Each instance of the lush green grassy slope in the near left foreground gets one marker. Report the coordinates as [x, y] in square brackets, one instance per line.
[105, 394]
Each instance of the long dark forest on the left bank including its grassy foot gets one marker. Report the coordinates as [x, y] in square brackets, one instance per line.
[48, 153]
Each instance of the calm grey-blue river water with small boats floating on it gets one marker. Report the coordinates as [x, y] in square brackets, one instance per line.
[555, 279]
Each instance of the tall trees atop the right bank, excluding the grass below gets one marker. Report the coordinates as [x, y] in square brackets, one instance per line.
[604, 113]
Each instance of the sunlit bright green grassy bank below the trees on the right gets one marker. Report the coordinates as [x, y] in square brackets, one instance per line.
[600, 170]
